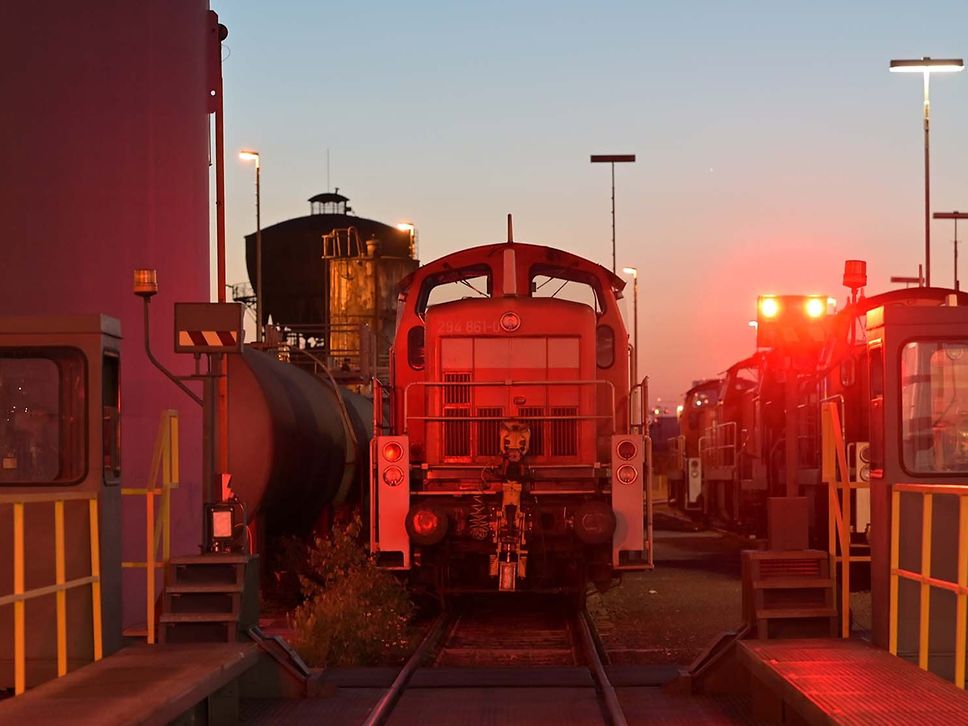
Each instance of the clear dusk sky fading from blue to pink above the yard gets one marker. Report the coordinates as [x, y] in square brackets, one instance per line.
[772, 141]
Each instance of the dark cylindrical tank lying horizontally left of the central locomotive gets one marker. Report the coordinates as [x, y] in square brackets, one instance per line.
[296, 443]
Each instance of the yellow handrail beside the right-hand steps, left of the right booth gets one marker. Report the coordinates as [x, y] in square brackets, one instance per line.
[835, 473]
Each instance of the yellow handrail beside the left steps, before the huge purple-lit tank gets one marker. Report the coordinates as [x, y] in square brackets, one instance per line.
[163, 477]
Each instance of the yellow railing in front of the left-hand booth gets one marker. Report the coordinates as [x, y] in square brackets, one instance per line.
[61, 585]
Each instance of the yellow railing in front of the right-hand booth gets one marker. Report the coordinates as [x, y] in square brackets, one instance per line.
[924, 578]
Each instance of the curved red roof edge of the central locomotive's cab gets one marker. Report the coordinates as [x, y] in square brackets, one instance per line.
[526, 254]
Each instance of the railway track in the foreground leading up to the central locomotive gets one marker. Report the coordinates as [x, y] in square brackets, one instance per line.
[510, 649]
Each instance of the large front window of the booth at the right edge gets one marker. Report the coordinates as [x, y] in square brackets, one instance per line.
[934, 407]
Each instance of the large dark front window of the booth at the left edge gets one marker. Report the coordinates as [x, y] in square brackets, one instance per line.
[43, 433]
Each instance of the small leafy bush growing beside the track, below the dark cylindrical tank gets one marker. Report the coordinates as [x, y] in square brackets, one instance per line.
[354, 613]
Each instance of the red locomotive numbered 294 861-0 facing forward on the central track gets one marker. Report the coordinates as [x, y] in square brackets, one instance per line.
[508, 459]
